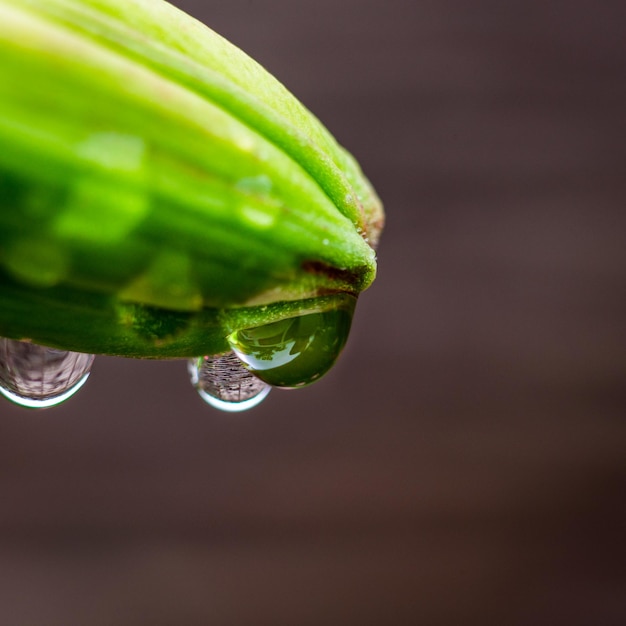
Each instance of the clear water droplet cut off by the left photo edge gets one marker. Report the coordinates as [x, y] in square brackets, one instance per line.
[38, 377]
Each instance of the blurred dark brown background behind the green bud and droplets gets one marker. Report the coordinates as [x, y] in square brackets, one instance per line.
[465, 463]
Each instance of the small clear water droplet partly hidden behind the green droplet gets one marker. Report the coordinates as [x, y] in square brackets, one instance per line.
[225, 384]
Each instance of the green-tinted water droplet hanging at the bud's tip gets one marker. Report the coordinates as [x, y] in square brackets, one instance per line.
[295, 351]
